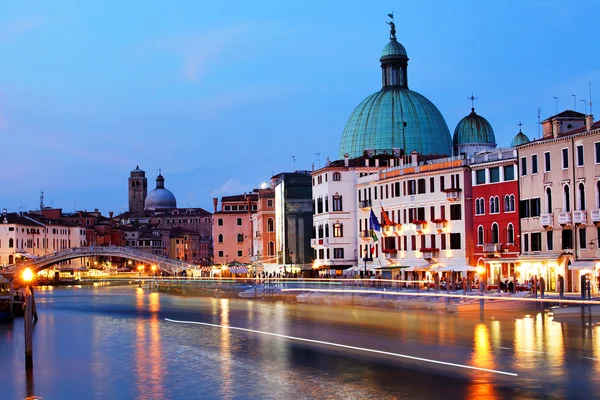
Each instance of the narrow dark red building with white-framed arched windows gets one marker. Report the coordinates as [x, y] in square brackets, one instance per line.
[496, 213]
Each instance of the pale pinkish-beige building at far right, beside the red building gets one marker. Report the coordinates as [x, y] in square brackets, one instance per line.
[560, 201]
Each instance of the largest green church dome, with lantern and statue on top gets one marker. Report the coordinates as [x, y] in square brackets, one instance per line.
[395, 117]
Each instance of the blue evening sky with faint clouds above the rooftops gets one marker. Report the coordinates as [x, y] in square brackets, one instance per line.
[223, 95]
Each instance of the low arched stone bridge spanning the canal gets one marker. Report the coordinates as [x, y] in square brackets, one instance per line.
[37, 264]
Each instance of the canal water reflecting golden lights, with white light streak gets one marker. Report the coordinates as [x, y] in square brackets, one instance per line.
[125, 342]
